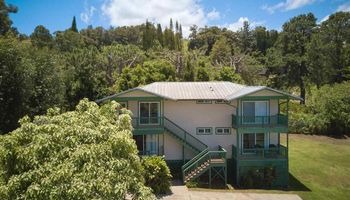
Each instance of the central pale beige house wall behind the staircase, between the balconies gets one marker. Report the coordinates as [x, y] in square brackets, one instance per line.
[189, 115]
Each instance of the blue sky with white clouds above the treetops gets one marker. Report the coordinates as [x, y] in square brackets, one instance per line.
[58, 14]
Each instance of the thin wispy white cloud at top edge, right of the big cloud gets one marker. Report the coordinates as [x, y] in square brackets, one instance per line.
[287, 5]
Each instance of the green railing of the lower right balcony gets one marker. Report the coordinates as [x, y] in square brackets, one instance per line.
[278, 152]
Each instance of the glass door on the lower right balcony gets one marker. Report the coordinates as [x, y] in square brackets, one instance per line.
[252, 141]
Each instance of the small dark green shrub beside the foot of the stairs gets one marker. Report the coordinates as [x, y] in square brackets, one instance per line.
[157, 174]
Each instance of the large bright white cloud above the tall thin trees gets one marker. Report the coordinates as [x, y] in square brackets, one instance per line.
[134, 12]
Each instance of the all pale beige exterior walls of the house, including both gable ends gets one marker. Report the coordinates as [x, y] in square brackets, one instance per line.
[189, 115]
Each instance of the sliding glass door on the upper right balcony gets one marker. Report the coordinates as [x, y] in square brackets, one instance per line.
[254, 112]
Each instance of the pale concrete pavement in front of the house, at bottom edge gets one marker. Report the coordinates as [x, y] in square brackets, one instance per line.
[180, 192]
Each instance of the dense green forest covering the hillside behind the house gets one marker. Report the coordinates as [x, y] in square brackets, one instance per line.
[43, 69]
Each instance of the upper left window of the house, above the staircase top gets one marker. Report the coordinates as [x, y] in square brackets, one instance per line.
[149, 113]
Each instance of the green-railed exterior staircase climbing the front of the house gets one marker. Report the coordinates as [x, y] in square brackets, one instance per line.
[204, 161]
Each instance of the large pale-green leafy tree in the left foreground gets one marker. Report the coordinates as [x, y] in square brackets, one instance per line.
[88, 153]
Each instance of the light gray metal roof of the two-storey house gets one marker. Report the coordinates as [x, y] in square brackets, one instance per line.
[214, 90]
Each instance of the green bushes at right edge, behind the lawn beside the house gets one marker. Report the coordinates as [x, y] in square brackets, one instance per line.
[327, 112]
